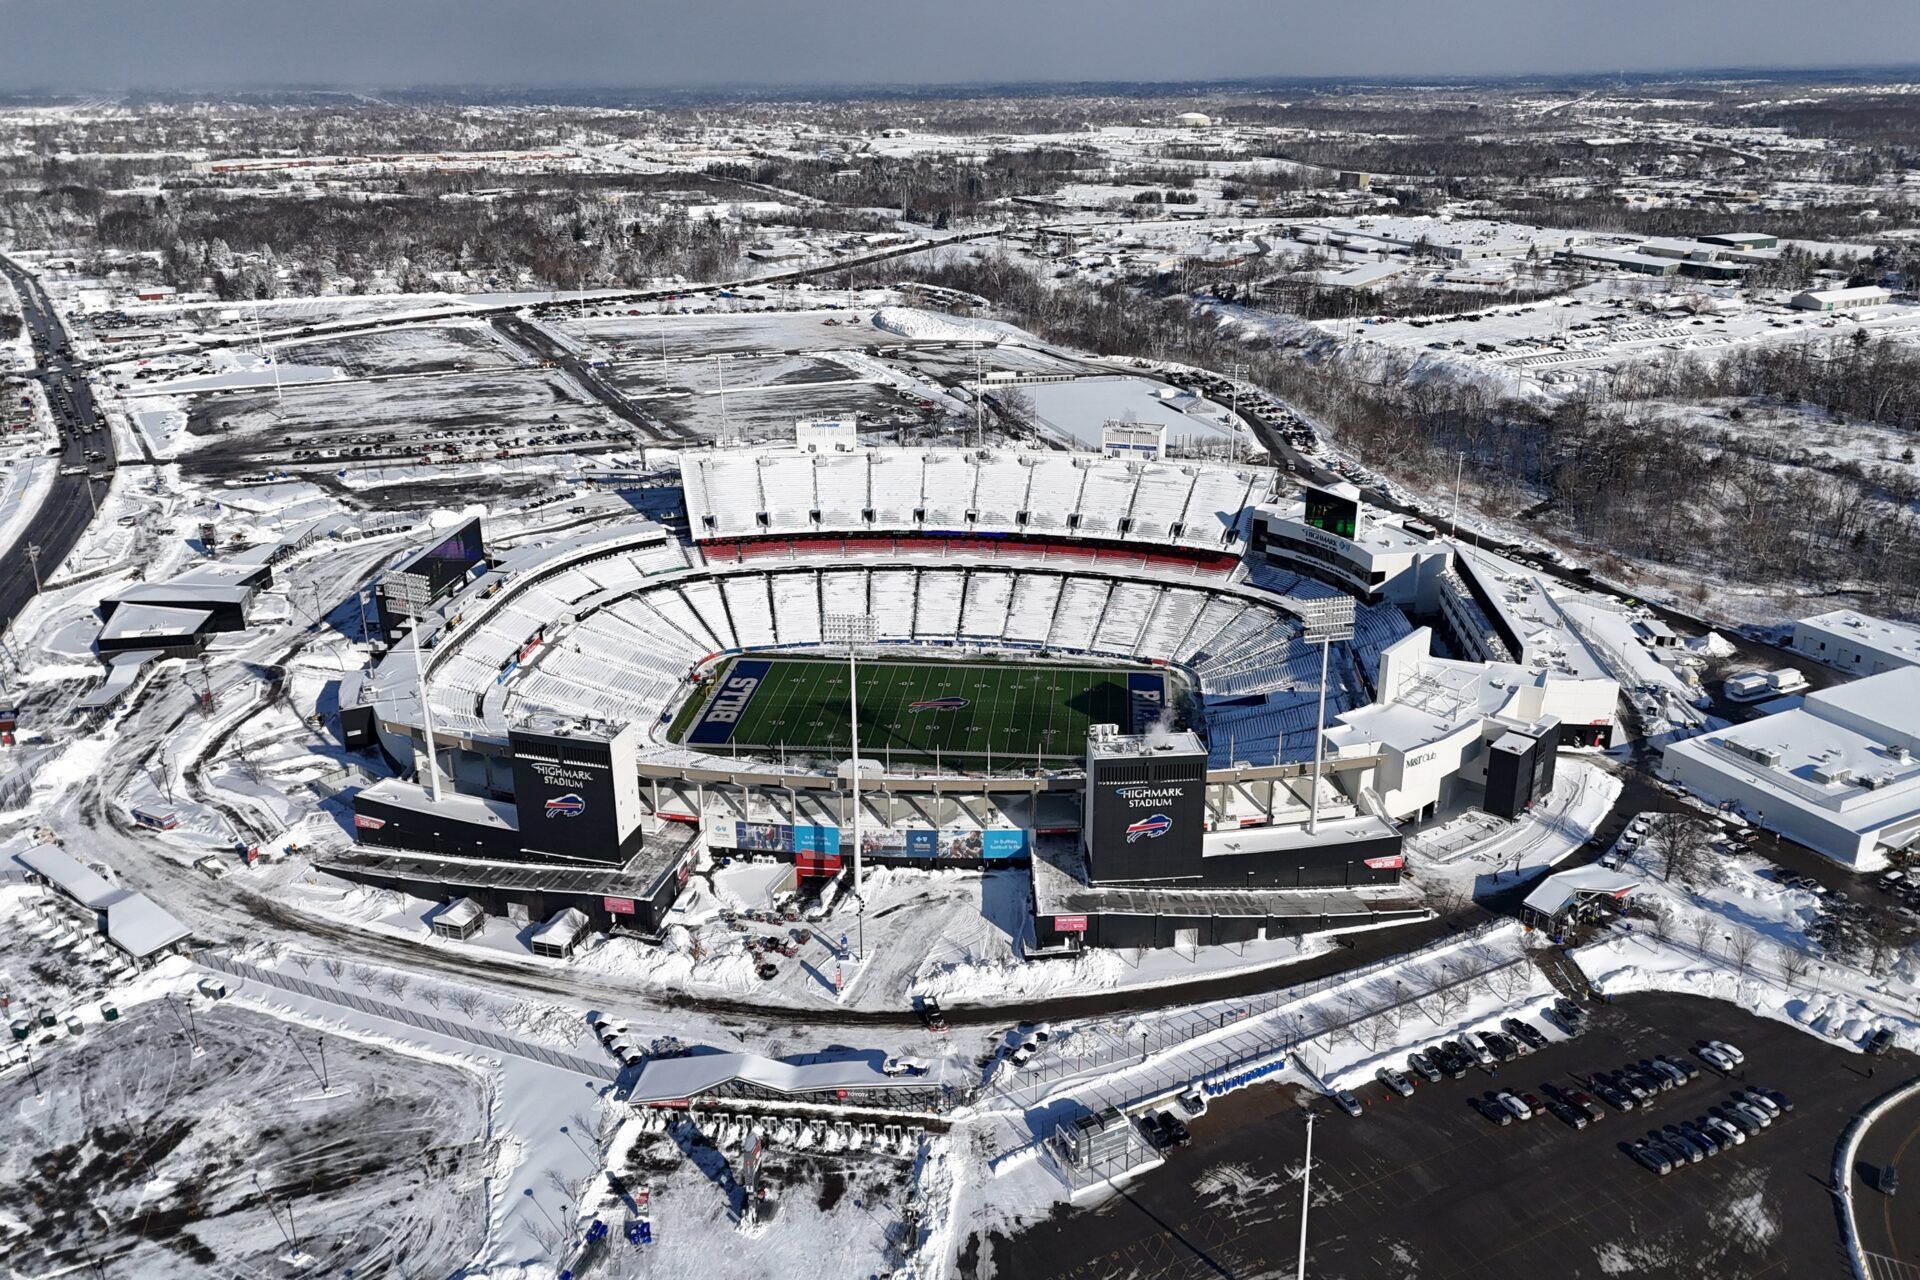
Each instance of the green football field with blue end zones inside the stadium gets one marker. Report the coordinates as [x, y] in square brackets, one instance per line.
[923, 709]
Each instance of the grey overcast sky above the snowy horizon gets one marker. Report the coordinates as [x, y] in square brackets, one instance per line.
[108, 45]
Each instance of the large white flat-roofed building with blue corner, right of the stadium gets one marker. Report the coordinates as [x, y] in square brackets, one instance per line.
[1840, 774]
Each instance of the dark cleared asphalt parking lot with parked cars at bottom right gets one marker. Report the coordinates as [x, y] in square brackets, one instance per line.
[1428, 1187]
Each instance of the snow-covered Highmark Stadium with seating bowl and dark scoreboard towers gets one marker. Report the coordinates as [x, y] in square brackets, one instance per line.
[600, 707]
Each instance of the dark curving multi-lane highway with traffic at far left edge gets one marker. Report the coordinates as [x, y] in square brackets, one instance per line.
[66, 511]
